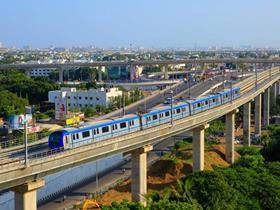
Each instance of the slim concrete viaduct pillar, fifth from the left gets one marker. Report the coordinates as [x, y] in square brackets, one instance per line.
[247, 124]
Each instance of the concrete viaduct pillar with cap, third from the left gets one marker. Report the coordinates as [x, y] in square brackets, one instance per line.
[198, 148]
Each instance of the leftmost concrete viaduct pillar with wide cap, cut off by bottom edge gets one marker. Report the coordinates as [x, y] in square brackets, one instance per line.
[25, 195]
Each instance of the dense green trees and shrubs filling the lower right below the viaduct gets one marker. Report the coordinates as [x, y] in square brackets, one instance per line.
[253, 182]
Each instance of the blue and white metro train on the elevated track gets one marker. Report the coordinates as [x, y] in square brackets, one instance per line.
[68, 138]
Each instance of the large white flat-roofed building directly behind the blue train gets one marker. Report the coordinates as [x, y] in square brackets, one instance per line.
[74, 98]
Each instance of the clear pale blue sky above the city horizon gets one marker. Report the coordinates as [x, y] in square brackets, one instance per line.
[148, 23]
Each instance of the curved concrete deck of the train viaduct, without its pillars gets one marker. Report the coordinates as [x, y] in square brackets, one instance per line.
[126, 143]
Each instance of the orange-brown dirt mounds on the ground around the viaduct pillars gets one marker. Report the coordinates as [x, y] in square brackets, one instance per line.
[166, 172]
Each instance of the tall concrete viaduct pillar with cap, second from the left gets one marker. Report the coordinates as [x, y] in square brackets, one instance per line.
[139, 174]
